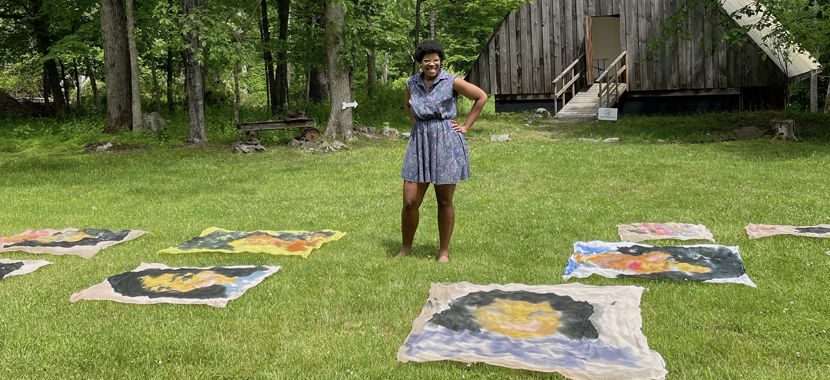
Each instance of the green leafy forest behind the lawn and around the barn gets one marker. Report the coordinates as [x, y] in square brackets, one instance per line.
[273, 53]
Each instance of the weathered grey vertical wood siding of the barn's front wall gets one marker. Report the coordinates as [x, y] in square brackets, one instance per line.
[533, 45]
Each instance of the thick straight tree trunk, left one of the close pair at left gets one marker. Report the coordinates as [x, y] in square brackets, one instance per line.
[116, 66]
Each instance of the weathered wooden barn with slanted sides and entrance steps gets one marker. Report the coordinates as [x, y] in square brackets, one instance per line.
[553, 49]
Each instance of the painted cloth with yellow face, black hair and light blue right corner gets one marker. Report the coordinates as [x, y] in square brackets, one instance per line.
[158, 283]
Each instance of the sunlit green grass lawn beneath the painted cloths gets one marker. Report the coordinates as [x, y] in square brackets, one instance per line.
[344, 311]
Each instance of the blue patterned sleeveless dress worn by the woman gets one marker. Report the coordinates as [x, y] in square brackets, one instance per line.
[436, 153]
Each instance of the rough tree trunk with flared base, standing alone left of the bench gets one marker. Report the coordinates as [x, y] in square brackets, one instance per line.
[195, 82]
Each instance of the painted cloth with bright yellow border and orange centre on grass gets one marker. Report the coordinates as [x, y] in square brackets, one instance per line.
[299, 243]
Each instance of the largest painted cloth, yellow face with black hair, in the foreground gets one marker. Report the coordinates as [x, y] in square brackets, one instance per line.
[580, 331]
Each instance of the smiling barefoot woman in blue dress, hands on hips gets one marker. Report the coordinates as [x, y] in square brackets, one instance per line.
[437, 152]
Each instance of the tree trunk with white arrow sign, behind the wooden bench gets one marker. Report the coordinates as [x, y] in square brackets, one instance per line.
[340, 120]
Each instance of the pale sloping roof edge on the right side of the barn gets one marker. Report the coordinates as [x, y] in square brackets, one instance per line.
[800, 65]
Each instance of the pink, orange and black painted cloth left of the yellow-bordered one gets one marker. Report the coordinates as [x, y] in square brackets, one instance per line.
[68, 241]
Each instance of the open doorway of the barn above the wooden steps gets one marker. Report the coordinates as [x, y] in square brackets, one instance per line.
[602, 44]
